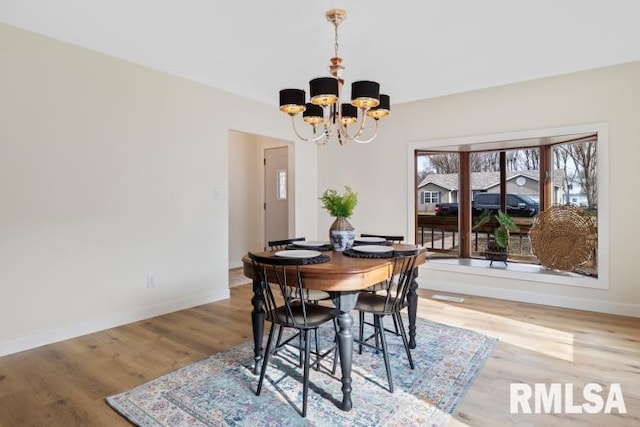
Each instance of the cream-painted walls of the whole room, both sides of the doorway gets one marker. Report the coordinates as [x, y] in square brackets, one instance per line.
[111, 172]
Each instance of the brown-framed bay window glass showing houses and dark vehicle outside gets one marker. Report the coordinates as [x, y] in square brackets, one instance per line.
[569, 177]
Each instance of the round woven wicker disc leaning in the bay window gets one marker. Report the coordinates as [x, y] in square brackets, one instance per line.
[563, 237]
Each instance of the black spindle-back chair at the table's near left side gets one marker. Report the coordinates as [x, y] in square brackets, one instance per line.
[287, 306]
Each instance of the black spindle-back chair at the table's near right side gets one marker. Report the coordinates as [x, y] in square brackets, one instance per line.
[389, 302]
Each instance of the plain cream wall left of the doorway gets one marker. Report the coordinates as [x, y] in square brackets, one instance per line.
[108, 175]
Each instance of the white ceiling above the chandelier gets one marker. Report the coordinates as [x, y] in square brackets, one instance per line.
[415, 48]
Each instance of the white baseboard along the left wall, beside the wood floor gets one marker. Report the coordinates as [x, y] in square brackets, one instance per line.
[117, 319]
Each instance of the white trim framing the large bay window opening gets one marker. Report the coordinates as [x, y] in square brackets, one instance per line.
[602, 129]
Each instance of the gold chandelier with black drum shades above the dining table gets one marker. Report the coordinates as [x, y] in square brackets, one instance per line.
[325, 113]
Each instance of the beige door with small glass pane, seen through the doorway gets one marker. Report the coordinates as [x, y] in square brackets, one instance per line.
[276, 192]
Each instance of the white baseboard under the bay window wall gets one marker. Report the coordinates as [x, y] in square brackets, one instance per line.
[554, 300]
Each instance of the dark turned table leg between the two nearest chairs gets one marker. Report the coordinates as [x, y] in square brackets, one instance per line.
[345, 302]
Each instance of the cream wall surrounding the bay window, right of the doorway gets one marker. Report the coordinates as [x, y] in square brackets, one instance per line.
[379, 171]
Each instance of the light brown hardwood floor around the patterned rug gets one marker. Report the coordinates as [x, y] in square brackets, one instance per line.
[64, 384]
